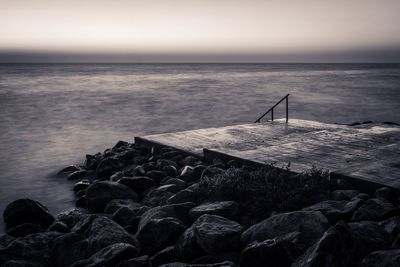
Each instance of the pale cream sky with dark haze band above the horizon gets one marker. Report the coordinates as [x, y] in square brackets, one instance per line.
[199, 31]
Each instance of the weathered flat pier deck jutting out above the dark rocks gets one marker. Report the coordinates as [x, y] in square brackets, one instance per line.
[368, 152]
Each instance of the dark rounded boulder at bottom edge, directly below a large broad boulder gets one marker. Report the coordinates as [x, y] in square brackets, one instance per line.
[270, 252]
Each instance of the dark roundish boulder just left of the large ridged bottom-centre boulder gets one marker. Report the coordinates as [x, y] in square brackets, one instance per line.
[156, 234]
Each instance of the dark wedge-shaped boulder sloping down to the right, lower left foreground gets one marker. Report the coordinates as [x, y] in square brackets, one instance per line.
[104, 232]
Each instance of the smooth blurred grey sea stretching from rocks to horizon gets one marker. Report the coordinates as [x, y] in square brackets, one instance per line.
[51, 115]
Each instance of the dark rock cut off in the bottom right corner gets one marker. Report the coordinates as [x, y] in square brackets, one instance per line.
[382, 258]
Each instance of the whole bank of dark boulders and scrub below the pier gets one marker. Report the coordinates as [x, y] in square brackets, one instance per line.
[161, 207]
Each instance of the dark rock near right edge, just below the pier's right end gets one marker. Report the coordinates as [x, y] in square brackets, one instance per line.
[372, 210]
